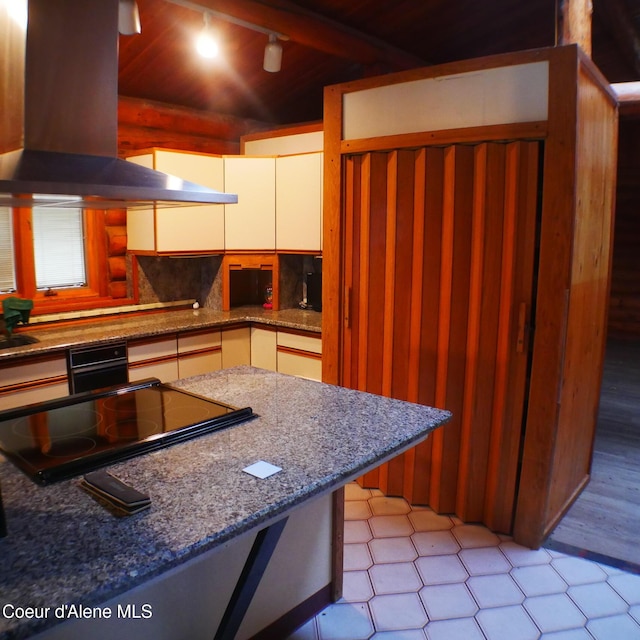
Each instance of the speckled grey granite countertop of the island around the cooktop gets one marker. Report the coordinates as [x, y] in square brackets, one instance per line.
[62, 547]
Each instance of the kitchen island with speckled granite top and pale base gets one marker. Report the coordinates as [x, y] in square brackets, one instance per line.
[66, 553]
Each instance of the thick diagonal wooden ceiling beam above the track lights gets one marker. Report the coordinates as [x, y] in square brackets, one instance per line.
[314, 31]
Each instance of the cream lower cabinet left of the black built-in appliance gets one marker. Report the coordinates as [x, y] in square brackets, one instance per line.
[33, 380]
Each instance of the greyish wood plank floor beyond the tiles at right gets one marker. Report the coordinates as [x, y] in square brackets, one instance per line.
[605, 519]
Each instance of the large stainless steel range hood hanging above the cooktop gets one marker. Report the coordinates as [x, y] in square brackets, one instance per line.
[59, 120]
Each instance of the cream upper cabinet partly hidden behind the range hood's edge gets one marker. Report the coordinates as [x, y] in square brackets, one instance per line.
[197, 229]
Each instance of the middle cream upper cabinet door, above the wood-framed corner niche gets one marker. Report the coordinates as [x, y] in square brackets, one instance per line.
[251, 223]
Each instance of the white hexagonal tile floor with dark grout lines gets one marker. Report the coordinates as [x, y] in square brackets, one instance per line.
[411, 574]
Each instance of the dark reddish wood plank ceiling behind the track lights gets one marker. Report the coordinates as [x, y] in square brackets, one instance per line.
[331, 41]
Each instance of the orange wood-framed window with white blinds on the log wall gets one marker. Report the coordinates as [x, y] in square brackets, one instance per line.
[55, 256]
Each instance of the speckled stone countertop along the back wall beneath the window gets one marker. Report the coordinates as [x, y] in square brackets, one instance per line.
[128, 326]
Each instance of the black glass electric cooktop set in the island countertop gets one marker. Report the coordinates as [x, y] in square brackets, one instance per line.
[63, 438]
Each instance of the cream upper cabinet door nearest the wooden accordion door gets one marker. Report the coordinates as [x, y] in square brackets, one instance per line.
[299, 202]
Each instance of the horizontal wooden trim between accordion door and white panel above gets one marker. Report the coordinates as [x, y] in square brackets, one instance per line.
[497, 133]
